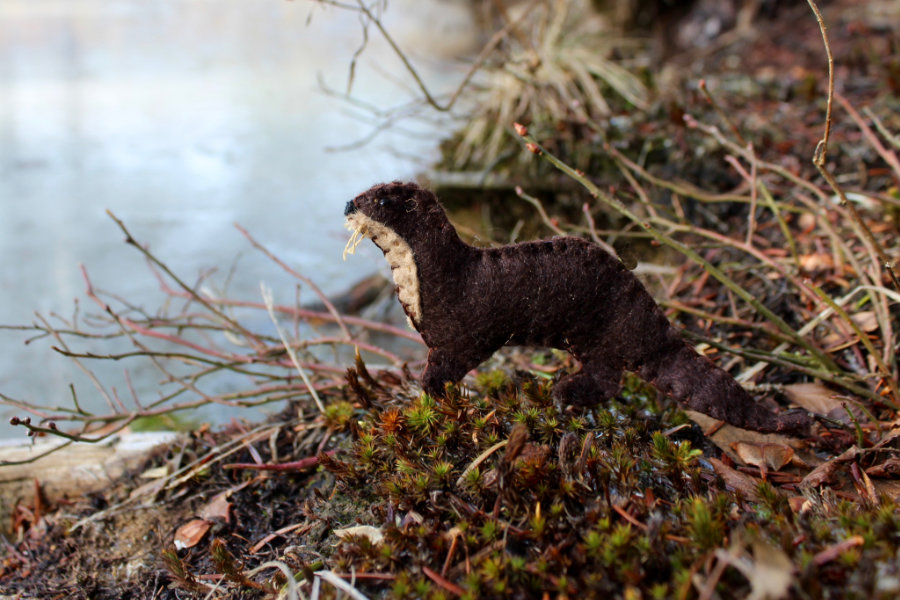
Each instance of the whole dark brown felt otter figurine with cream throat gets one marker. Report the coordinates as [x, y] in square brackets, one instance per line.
[565, 293]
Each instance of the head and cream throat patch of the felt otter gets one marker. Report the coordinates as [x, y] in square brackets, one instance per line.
[394, 215]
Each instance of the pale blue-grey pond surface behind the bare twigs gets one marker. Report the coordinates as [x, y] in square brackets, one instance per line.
[184, 117]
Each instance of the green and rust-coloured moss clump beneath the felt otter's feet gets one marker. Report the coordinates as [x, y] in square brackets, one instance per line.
[593, 502]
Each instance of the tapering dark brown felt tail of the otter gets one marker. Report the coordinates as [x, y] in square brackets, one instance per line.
[700, 385]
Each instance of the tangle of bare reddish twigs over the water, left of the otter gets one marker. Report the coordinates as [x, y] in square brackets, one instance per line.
[267, 365]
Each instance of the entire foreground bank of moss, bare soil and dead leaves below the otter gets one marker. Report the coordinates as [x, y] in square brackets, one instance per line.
[615, 501]
